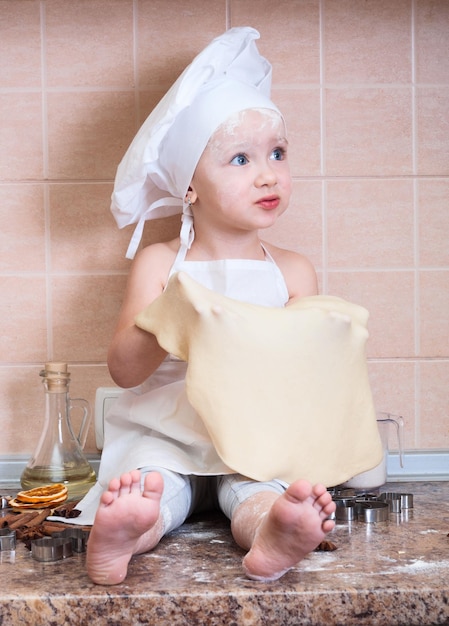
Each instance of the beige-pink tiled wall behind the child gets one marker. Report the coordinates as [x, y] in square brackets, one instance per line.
[364, 85]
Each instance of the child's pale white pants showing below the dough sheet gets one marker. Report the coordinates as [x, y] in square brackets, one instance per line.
[187, 494]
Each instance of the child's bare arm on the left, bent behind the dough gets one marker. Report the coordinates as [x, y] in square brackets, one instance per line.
[135, 354]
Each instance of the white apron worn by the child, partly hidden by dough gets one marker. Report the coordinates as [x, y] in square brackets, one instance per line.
[154, 424]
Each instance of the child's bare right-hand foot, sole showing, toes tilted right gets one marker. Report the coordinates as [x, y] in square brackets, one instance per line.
[294, 526]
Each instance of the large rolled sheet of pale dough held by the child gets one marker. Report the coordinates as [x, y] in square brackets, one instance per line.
[283, 392]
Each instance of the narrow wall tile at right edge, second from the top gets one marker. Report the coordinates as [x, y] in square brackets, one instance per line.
[432, 106]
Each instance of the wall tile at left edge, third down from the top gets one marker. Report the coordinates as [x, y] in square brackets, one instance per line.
[22, 235]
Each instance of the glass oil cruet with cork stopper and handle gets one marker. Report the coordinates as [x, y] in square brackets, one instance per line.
[59, 456]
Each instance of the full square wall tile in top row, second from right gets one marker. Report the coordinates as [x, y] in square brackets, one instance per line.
[367, 42]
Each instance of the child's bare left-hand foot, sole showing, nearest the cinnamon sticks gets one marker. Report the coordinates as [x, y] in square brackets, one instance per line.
[127, 522]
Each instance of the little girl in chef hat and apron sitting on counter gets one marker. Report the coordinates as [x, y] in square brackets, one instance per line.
[216, 145]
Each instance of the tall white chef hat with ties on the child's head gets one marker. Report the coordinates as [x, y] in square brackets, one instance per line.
[152, 180]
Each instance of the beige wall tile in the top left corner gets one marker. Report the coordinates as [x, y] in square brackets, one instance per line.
[20, 44]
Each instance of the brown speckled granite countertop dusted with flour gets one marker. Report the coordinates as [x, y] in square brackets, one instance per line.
[393, 572]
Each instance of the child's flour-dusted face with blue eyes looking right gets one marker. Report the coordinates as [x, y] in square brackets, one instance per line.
[242, 180]
